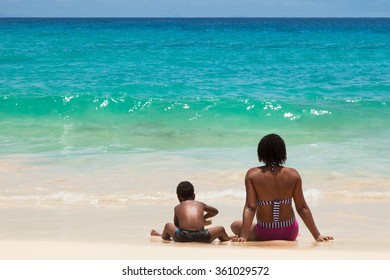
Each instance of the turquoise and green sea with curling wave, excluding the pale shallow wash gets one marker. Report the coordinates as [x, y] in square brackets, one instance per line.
[127, 84]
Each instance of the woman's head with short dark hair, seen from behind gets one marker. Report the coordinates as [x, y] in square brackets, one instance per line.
[272, 150]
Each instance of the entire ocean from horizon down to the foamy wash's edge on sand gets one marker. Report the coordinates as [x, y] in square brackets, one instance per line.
[115, 112]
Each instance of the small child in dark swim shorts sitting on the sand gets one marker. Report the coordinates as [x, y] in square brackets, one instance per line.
[190, 219]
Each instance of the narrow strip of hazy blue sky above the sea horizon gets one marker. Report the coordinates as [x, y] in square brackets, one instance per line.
[195, 8]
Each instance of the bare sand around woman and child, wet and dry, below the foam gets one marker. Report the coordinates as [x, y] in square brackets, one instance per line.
[112, 233]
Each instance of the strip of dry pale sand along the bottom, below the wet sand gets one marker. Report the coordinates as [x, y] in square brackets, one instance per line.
[276, 250]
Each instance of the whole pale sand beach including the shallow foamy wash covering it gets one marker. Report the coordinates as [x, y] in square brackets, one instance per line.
[91, 207]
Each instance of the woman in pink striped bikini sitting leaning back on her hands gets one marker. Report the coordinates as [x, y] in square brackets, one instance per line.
[270, 190]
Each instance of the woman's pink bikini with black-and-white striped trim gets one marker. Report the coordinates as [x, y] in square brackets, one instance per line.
[276, 230]
